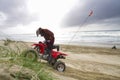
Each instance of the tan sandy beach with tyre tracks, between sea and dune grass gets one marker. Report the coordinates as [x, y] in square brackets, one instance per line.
[85, 62]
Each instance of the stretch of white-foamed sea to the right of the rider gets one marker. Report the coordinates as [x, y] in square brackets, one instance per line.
[91, 38]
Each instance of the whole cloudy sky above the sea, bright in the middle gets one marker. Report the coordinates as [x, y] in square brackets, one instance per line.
[26, 16]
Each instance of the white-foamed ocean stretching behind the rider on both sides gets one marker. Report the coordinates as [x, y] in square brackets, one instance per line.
[89, 38]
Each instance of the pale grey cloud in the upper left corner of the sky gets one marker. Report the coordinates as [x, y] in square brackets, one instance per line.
[14, 12]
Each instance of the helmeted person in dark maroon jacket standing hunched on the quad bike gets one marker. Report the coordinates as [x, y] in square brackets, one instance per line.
[49, 38]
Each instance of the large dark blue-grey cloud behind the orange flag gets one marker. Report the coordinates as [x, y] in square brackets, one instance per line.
[104, 12]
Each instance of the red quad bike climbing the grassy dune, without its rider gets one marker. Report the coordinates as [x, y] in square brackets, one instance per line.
[40, 51]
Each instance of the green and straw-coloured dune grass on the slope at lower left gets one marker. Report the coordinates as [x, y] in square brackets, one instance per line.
[14, 56]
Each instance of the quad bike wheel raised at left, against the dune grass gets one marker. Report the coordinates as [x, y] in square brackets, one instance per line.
[30, 55]
